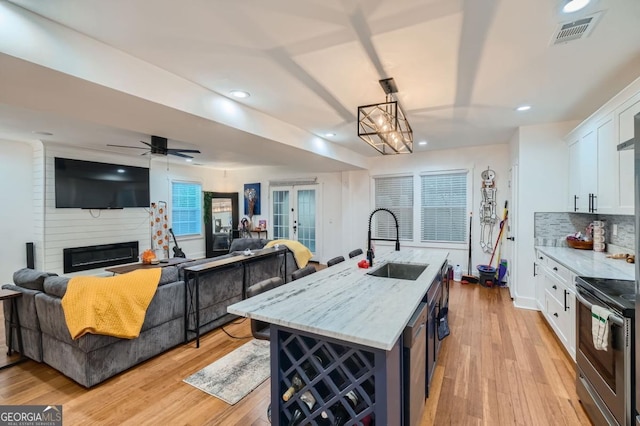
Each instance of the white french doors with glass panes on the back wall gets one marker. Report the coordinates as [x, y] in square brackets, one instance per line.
[294, 215]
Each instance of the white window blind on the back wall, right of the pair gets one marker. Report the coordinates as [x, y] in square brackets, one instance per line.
[444, 207]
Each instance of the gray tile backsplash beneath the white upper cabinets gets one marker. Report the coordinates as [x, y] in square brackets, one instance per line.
[551, 229]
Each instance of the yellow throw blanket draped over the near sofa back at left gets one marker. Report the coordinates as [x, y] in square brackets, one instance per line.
[113, 306]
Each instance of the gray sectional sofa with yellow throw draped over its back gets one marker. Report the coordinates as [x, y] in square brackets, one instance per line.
[92, 359]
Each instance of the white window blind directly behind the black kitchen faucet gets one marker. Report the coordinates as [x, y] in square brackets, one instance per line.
[395, 194]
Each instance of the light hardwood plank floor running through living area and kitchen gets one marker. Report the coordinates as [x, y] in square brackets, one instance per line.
[499, 366]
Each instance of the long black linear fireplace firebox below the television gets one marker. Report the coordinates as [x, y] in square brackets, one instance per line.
[99, 256]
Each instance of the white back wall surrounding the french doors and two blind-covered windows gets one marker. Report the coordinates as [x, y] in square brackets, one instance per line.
[347, 198]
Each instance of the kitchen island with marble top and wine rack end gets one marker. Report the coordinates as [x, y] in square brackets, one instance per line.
[340, 330]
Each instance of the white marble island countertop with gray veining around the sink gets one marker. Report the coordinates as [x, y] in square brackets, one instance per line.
[345, 303]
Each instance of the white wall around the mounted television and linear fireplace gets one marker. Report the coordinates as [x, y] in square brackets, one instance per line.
[29, 213]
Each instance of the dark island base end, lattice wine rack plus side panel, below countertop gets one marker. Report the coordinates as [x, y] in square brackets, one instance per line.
[337, 378]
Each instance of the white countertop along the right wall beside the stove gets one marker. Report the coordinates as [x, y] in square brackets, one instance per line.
[589, 263]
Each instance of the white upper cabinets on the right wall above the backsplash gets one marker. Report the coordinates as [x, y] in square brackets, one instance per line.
[600, 176]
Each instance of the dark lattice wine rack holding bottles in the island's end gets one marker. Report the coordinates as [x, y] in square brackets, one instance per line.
[332, 372]
